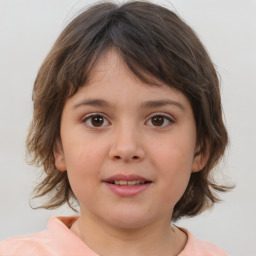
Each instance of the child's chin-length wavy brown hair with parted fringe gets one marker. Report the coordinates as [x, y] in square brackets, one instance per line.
[153, 41]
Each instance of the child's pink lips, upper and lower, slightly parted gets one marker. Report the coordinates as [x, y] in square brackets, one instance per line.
[127, 190]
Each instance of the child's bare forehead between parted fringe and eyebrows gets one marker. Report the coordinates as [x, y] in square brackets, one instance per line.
[112, 81]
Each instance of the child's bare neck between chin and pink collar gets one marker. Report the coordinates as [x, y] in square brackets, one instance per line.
[154, 239]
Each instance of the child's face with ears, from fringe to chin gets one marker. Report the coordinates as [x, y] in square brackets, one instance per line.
[128, 147]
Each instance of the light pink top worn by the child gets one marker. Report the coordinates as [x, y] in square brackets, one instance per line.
[59, 240]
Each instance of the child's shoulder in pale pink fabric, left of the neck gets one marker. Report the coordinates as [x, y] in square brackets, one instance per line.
[56, 240]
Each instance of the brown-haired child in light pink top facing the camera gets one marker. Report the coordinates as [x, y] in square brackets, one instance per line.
[127, 122]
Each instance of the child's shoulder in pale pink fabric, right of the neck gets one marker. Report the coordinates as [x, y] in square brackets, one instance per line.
[197, 247]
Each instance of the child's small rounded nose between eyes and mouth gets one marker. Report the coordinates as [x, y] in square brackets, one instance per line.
[127, 145]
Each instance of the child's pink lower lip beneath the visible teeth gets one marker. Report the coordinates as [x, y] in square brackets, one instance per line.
[128, 191]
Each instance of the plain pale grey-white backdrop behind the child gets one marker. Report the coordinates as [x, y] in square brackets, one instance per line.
[28, 28]
